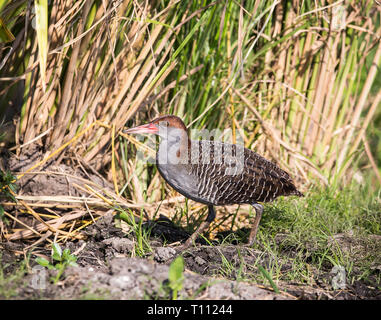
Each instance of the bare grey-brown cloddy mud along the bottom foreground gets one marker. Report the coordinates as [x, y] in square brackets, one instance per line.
[107, 271]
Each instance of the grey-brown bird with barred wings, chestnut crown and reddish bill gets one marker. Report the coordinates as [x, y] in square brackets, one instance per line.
[215, 173]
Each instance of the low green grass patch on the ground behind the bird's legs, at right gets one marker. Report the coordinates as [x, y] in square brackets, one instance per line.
[305, 240]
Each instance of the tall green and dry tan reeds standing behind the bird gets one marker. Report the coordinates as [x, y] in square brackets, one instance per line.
[292, 79]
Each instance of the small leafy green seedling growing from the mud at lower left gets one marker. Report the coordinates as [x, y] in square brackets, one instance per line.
[64, 259]
